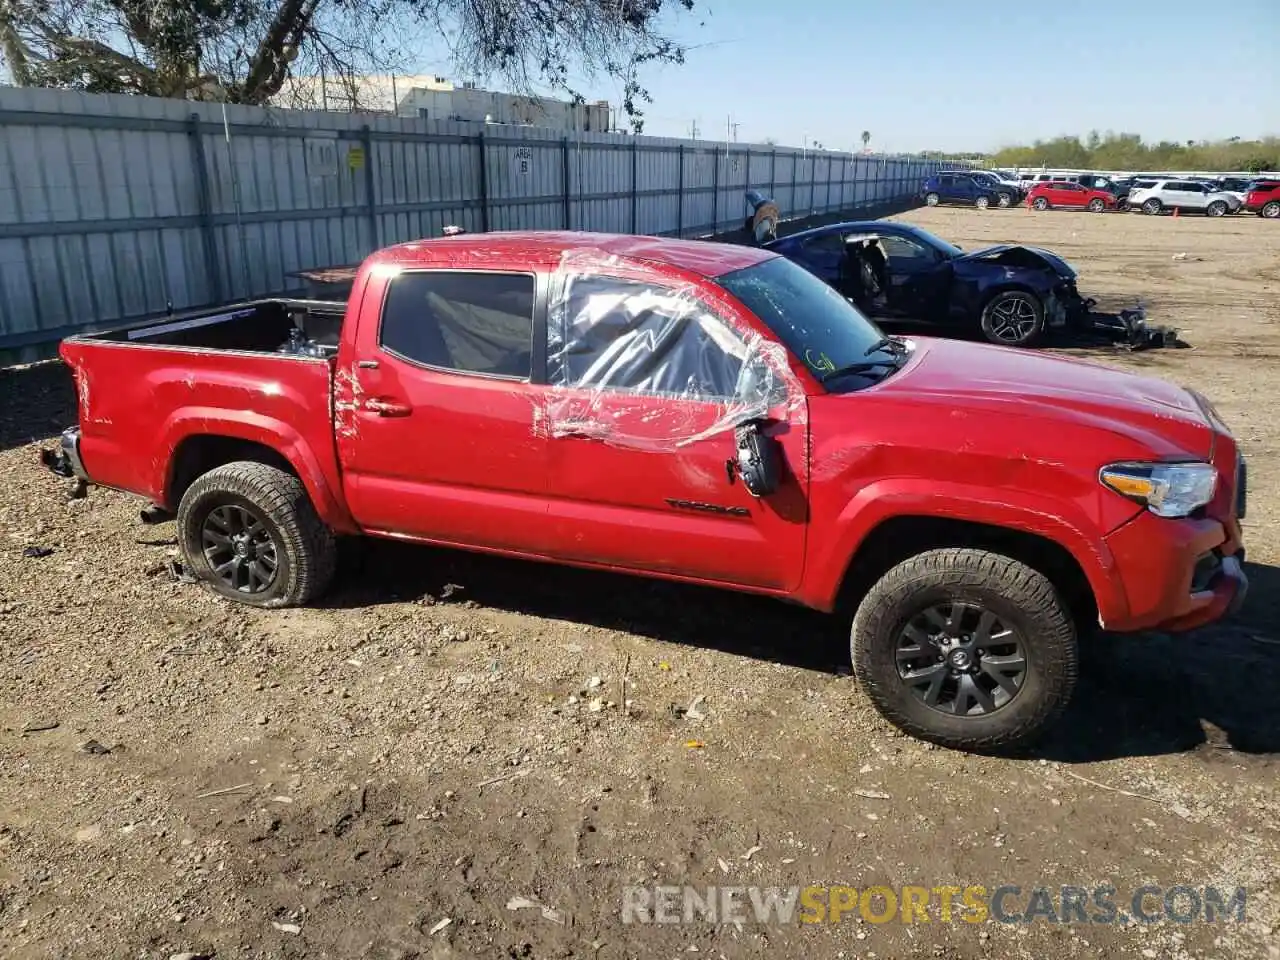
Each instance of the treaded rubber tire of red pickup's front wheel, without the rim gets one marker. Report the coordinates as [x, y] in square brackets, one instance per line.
[1022, 597]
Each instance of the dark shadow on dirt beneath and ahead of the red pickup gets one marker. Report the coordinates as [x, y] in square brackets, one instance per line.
[1215, 689]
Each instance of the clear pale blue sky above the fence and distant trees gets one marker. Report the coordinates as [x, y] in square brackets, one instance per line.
[968, 75]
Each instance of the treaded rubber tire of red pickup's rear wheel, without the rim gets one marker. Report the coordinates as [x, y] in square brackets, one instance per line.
[305, 548]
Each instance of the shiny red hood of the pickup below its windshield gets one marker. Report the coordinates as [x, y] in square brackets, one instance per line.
[1162, 417]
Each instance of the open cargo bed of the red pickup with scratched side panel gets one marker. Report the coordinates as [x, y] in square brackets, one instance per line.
[150, 397]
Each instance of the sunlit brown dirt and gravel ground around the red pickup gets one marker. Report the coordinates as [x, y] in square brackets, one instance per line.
[438, 762]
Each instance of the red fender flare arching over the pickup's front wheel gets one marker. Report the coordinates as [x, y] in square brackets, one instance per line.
[1018, 511]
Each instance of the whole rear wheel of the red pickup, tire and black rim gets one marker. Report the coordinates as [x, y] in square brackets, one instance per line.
[252, 533]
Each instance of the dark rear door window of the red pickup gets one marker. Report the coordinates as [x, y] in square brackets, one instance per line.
[474, 323]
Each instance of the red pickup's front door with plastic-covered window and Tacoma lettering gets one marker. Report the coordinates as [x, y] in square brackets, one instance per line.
[647, 388]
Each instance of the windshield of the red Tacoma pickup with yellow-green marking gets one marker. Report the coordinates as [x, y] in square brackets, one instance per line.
[813, 321]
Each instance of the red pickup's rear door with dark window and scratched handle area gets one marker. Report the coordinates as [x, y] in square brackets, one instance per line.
[436, 410]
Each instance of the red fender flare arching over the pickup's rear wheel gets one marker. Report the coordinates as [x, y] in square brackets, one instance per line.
[268, 432]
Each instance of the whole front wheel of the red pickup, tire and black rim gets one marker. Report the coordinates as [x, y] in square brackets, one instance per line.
[966, 648]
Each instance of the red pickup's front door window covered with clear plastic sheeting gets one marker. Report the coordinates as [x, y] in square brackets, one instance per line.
[607, 333]
